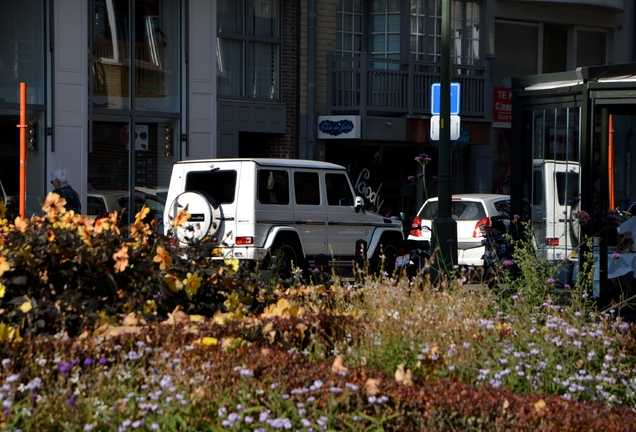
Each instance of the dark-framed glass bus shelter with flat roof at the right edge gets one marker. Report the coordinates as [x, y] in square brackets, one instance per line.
[575, 144]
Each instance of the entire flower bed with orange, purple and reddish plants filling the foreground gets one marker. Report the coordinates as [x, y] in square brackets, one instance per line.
[101, 332]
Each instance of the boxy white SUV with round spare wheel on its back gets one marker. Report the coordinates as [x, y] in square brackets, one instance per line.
[305, 208]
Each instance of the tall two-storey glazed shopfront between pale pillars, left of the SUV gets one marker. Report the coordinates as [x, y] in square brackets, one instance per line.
[135, 140]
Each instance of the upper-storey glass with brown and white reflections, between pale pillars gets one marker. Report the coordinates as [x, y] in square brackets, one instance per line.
[153, 43]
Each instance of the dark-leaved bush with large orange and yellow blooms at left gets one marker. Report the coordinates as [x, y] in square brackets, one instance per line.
[65, 272]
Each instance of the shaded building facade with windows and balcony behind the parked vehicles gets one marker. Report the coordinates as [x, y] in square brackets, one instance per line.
[118, 90]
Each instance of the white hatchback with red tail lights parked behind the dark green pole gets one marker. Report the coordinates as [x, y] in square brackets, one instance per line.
[471, 212]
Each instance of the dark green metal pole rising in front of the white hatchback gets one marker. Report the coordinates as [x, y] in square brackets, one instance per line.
[444, 226]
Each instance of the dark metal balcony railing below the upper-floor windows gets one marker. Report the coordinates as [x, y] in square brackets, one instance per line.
[375, 86]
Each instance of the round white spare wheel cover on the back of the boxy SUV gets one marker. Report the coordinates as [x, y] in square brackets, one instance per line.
[205, 216]
